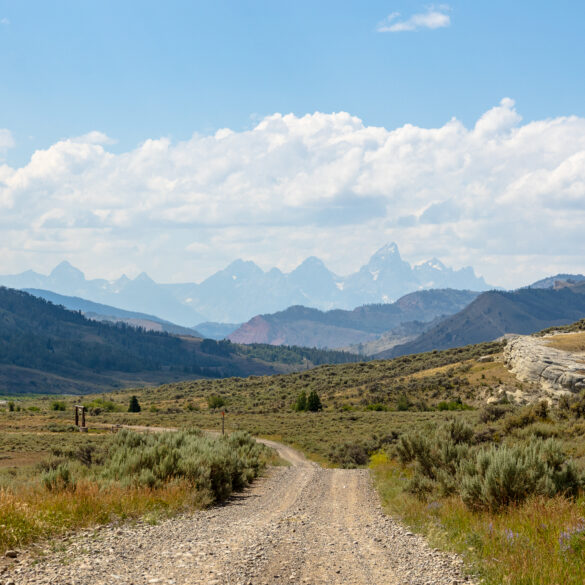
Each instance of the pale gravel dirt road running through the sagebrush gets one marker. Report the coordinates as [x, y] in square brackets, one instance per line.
[299, 525]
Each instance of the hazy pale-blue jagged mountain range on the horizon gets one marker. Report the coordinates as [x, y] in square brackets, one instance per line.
[243, 289]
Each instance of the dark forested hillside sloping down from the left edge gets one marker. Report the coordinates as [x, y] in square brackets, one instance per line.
[45, 348]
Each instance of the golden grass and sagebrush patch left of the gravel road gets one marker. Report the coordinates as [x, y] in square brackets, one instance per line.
[54, 480]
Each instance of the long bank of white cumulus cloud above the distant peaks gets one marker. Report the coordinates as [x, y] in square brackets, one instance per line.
[491, 195]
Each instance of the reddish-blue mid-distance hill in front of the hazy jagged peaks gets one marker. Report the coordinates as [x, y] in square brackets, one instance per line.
[337, 328]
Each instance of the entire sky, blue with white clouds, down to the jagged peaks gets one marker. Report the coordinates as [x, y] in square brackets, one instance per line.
[175, 137]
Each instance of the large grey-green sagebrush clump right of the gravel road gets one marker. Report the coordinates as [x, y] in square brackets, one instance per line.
[445, 461]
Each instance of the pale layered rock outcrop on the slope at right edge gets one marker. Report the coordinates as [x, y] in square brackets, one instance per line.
[557, 372]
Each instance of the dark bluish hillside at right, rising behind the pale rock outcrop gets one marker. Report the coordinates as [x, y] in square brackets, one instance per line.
[496, 313]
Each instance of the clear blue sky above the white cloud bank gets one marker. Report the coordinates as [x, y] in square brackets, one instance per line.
[138, 70]
